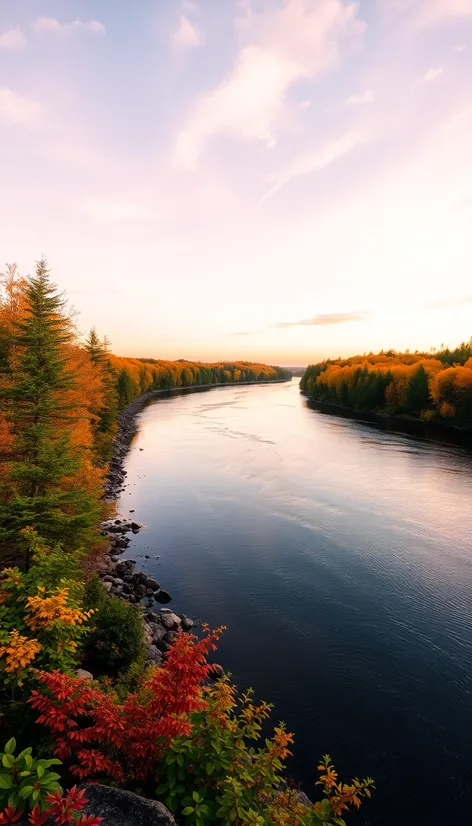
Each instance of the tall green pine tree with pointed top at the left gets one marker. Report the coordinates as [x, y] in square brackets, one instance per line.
[38, 406]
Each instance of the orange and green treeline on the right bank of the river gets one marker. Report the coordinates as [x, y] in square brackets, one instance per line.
[435, 386]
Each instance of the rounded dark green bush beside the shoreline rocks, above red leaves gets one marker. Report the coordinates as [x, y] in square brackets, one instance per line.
[116, 639]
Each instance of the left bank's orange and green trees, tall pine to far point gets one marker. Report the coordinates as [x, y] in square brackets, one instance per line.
[59, 403]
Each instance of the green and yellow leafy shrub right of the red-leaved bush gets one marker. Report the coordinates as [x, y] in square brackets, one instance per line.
[215, 774]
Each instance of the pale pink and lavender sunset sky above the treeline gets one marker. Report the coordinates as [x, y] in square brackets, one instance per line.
[283, 180]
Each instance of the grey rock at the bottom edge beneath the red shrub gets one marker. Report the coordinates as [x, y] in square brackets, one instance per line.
[120, 808]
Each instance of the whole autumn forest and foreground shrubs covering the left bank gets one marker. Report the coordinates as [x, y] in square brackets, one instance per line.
[163, 728]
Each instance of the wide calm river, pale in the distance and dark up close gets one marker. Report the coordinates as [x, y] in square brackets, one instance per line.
[340, 558]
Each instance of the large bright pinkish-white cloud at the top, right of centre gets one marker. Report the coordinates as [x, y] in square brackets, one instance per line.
[298, 41]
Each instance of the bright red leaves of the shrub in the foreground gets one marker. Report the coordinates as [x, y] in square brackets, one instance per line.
[105, 737]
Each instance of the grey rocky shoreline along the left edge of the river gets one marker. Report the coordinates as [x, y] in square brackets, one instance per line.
[120, 577]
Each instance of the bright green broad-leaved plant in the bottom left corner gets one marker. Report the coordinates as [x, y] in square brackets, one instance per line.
[25, 780]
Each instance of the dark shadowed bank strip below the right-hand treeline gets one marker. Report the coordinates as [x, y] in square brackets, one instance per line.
[407, 425]
